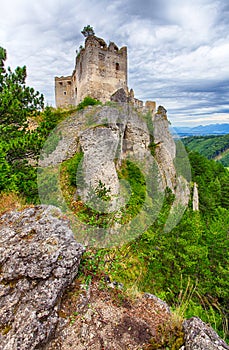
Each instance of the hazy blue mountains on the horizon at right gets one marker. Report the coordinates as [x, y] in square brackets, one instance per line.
[202, 130]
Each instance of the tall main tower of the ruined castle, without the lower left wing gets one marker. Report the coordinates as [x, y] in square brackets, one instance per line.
[100, 70]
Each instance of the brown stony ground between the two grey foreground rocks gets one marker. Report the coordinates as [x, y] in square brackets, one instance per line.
[98, 317]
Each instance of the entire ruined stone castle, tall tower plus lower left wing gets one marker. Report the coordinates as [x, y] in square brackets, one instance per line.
[100, 70]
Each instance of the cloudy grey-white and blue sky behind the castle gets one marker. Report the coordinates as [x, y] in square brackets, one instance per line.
[178, 50]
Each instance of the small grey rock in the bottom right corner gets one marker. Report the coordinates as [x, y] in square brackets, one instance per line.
[200, 336]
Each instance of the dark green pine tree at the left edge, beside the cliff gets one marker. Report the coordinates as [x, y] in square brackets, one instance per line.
[17, 103]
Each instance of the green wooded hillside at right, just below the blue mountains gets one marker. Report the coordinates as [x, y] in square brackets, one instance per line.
[212, 147]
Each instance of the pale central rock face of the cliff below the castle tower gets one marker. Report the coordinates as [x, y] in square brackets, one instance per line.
[115, 134]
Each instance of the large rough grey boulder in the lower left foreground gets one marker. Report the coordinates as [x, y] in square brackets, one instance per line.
[39, 258]
